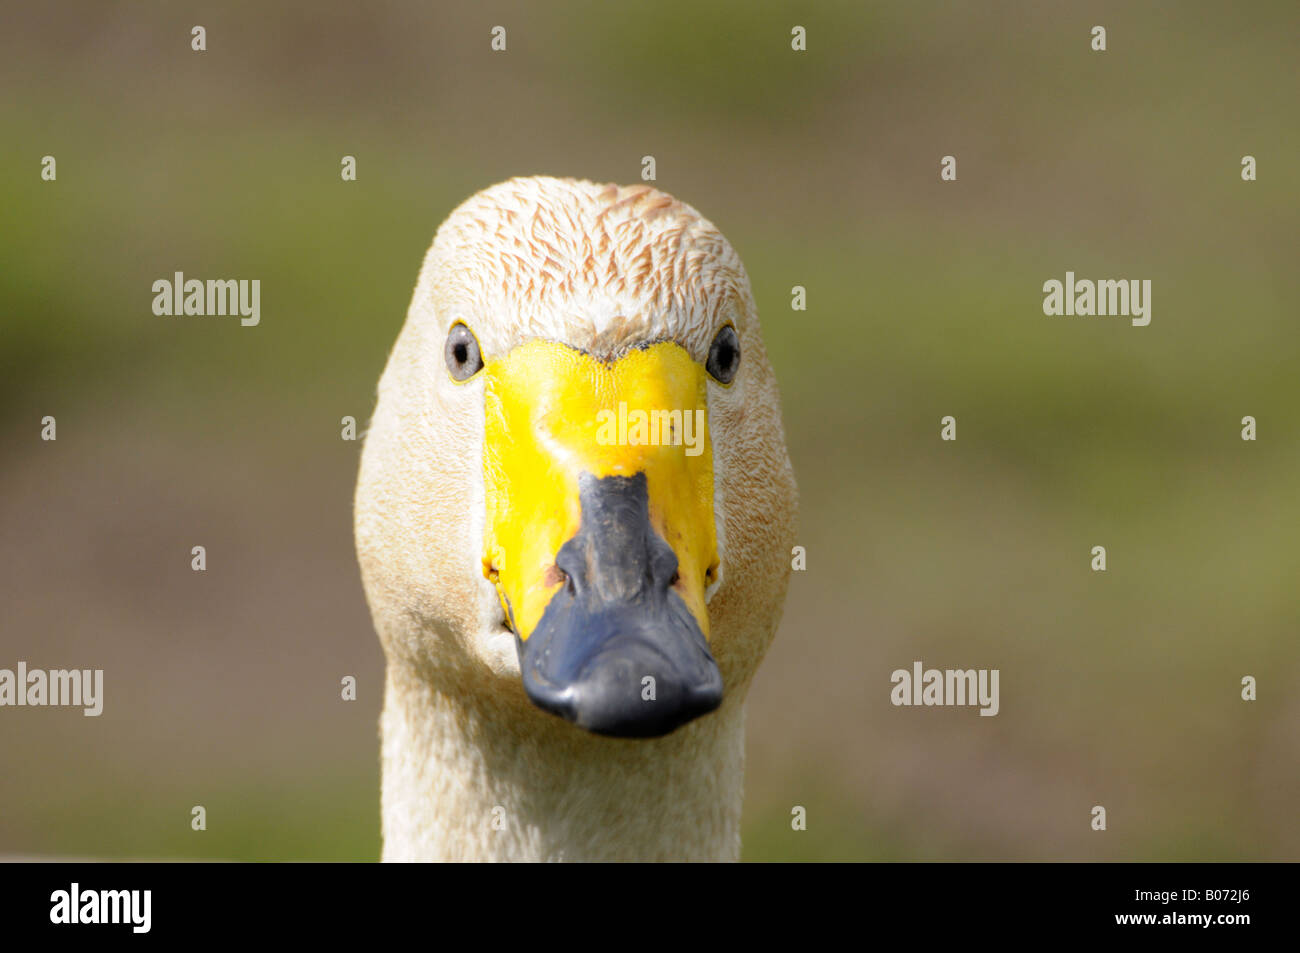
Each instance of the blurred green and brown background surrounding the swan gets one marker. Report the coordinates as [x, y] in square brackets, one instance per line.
[925, 300]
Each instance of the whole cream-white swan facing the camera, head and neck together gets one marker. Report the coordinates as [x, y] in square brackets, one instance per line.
[571, 613]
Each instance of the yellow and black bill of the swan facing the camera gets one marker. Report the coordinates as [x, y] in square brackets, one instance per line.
[600, 532]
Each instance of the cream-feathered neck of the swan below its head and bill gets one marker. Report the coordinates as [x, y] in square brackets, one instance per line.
[506, 782]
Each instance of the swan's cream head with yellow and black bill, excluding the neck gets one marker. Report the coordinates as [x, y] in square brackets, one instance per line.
[575, 493]
